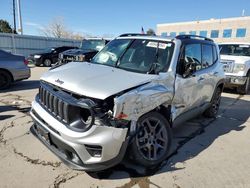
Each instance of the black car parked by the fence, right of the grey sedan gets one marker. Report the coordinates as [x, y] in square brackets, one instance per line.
[48, 56]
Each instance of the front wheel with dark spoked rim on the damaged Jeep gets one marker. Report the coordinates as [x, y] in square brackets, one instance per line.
[152, 143]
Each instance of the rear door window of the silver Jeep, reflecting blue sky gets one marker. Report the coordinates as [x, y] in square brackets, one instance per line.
[207, 55]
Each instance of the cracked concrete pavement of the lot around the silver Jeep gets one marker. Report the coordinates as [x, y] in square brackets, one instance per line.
[206, 153]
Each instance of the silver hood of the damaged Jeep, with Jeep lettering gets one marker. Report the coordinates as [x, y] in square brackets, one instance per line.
[93, 80]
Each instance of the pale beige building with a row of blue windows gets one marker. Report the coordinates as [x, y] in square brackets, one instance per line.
[220, 30]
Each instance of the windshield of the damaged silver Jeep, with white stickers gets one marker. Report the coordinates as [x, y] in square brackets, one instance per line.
[136, 55]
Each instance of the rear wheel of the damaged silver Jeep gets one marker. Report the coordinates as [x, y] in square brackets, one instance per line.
[215, 104]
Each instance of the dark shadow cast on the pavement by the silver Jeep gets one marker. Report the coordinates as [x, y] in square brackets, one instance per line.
[230, 118]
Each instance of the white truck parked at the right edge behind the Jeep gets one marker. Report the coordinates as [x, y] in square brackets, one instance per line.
[236, 60]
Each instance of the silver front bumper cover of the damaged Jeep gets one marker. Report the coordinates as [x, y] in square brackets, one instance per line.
[70, 146]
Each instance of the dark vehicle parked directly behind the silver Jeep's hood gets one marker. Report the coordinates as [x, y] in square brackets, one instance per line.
[88, 49]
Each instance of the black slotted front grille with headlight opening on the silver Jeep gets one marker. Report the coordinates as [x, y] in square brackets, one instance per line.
[74, 112]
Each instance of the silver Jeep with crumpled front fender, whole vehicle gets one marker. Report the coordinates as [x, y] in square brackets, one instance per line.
[127, 99]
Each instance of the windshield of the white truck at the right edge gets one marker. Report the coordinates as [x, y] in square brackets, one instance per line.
[235, 49]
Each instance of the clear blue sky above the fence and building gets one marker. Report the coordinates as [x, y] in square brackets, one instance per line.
[114, 17]
